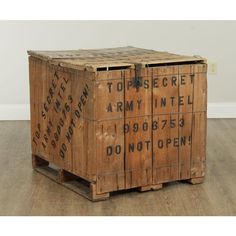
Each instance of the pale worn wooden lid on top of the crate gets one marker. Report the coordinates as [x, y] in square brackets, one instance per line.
[112, 58]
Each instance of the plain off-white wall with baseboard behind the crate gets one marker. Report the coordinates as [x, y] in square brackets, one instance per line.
[215, 40]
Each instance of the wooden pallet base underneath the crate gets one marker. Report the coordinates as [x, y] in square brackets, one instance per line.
[83, 187]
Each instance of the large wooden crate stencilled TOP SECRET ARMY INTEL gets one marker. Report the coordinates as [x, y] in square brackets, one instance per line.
[119, 118]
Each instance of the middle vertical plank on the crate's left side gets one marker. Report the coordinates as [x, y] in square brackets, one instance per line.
[60, 116]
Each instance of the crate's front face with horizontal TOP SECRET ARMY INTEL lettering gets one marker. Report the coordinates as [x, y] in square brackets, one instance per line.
[172, 99]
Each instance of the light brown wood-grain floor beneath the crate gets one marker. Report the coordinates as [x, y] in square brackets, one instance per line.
[26, 192]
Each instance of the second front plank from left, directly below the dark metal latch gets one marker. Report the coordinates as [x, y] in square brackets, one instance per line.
[138, 135]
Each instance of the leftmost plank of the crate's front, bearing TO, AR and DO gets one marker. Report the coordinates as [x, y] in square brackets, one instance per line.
[109, 122]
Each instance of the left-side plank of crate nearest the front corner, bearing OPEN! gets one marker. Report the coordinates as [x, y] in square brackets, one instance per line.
[80, 132]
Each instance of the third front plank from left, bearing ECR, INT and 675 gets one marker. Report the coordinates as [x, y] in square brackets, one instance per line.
[165, 124]
